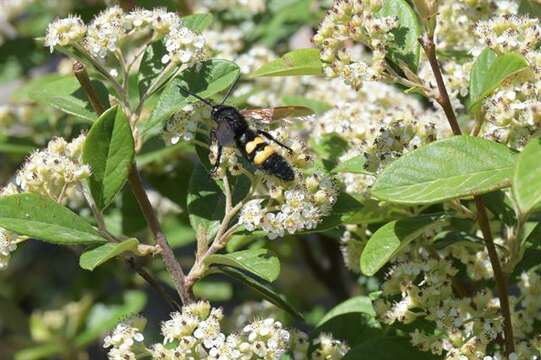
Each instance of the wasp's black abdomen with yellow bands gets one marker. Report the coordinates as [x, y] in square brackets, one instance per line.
[263, 155]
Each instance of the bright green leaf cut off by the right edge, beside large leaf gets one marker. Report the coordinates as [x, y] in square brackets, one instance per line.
[527, 178]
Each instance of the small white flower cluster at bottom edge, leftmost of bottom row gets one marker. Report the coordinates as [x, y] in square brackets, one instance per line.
[123, 341]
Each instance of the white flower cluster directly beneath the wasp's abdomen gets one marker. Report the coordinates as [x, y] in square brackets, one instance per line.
[290, 210]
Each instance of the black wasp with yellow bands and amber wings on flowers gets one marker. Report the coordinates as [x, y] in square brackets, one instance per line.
[232, 128]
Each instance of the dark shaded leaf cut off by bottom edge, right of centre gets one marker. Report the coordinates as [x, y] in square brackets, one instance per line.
[387, 348]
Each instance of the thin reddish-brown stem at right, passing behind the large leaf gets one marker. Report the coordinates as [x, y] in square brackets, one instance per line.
[429, 47]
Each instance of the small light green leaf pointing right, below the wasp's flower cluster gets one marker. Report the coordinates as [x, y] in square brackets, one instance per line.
[255, 261]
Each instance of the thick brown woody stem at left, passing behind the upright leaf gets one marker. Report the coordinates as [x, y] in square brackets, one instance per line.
[134, 179]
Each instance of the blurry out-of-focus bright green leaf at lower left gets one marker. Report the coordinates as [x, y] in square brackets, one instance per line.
[103, 318]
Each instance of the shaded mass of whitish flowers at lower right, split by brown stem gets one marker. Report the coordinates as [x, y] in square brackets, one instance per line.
[467, 326]
